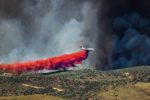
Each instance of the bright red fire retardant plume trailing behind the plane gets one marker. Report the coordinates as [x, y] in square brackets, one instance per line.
[57, 62]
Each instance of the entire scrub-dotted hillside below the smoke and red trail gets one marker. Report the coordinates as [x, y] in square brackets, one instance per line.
[80, 84]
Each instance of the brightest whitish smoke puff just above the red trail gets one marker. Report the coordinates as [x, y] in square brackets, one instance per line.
[68, 39]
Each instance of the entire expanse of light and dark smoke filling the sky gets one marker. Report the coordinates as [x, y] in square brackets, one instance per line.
[118, 30]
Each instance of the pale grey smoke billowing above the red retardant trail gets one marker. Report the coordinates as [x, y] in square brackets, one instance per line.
[50, 27]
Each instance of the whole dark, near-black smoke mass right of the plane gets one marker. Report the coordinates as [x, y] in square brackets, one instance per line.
[124, 37]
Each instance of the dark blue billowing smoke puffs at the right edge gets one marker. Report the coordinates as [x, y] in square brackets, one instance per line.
[132, 48]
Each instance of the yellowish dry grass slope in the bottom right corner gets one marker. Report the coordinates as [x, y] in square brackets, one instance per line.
[138, 91]
